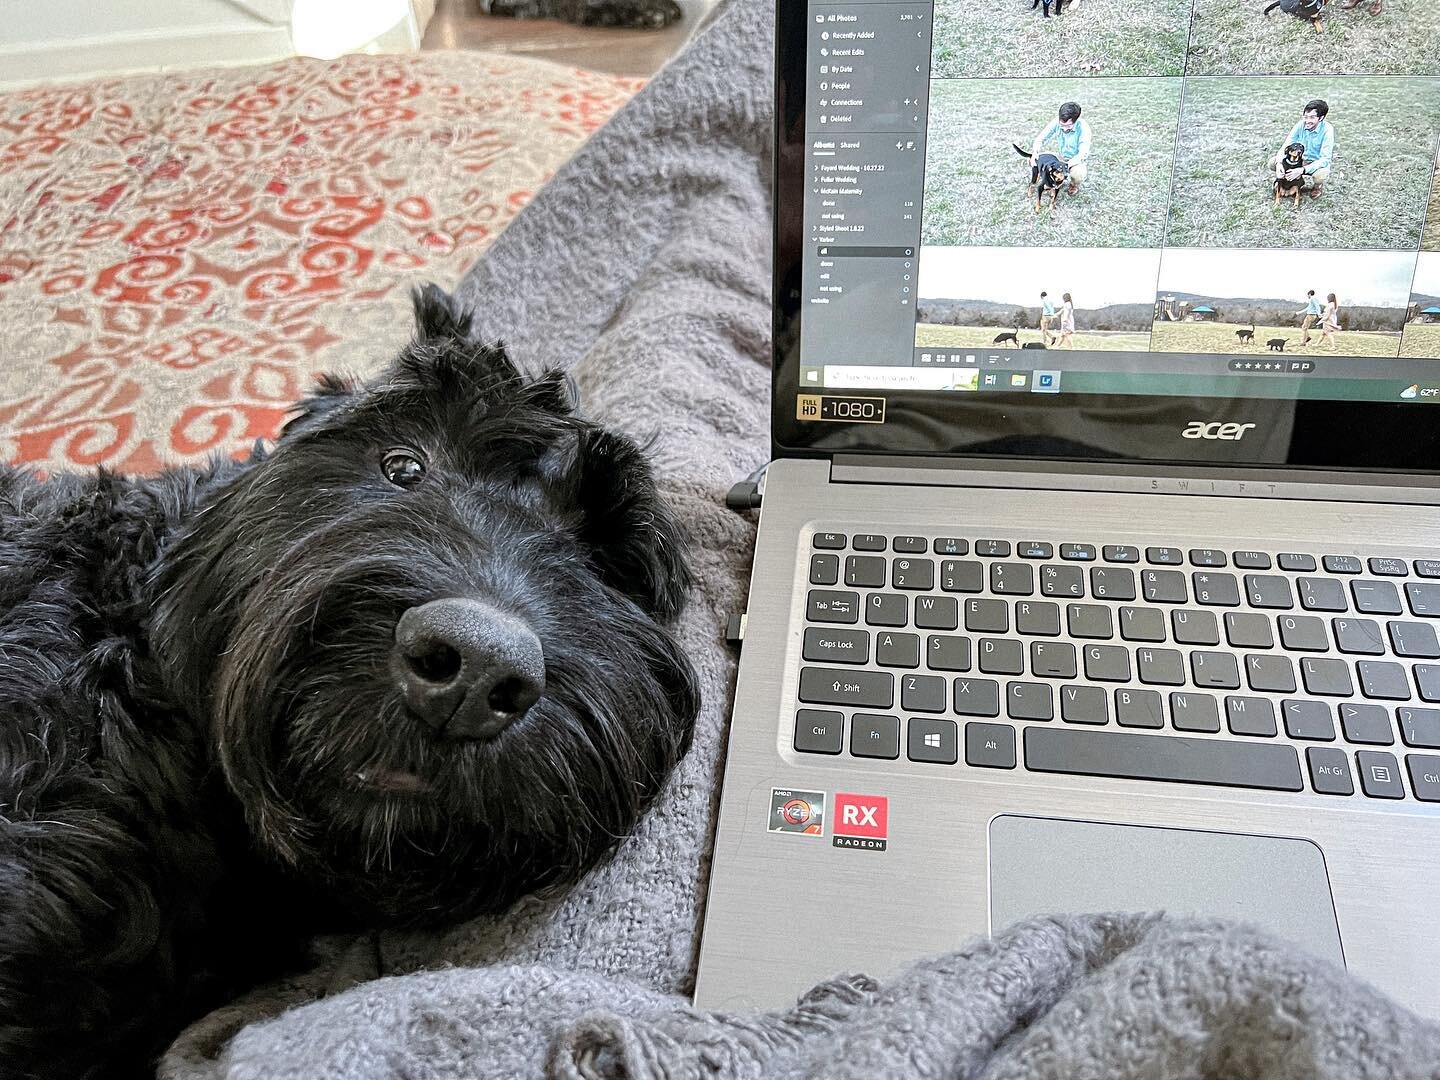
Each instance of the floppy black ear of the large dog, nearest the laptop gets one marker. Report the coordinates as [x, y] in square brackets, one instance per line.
[637, 545]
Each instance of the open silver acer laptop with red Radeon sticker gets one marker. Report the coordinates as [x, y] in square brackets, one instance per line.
[1099, 557]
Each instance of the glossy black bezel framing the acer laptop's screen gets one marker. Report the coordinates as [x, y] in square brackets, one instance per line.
[1382, 437]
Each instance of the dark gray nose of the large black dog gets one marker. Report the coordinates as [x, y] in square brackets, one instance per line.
[469, 670]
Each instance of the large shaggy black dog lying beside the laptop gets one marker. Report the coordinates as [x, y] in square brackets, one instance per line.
[404, 669]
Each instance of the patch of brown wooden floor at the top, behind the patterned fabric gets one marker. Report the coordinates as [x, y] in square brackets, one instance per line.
[459, 25]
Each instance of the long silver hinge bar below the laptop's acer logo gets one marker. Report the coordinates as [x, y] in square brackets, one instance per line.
[1161, 480]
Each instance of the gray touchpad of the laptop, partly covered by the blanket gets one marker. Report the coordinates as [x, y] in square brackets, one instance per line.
[1048, 866]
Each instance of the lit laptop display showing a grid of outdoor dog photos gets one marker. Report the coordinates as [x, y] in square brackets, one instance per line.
[1183, 198]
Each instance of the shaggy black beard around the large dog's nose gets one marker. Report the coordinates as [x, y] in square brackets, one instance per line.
[342, 783]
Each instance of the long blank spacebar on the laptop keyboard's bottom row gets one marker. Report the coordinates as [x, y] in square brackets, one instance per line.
[1164, 758]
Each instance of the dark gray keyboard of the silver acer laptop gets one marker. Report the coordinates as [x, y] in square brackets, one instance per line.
[1278, 672]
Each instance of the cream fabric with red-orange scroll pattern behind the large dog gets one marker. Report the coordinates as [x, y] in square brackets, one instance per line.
[181, 254]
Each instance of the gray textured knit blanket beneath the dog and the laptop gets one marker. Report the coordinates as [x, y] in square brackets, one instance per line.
[644, 270]
